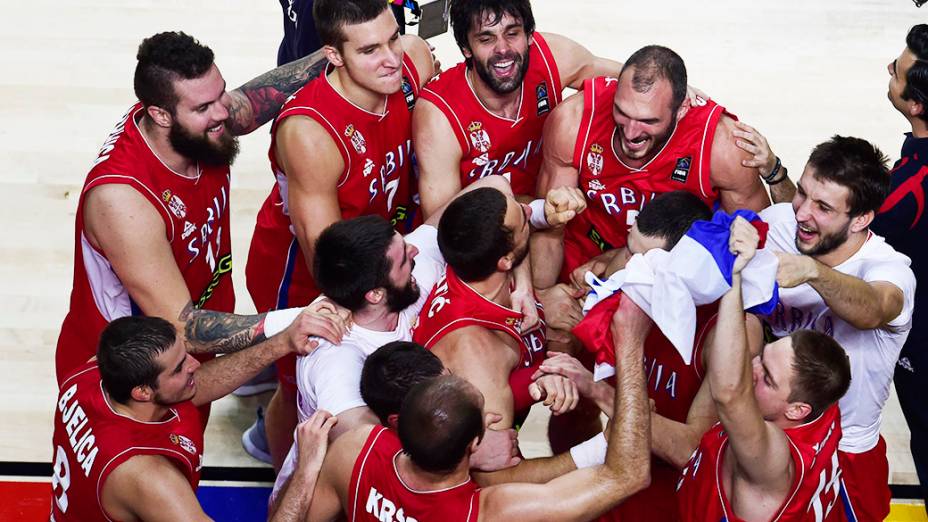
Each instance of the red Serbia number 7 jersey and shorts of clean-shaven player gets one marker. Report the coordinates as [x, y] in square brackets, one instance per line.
[376, 150]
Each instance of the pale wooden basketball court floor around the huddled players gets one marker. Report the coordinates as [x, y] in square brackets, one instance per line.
[799, 71]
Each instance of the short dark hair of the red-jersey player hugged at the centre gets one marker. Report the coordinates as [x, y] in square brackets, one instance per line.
[472, 234]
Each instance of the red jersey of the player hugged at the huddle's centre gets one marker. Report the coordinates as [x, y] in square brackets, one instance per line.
[453, 304]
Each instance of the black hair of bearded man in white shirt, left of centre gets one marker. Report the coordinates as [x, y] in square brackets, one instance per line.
[351, 259]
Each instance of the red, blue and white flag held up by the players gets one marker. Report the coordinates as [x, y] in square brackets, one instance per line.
[668, 286]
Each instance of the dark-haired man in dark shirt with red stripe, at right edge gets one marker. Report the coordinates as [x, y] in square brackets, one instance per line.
[902, 221]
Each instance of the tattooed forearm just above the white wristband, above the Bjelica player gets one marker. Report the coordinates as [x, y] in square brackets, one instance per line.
[208, 331]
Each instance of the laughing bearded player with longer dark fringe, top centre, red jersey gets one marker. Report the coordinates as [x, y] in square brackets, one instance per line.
[485, 115]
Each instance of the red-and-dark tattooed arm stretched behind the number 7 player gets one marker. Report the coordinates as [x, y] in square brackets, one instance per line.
[258, 101]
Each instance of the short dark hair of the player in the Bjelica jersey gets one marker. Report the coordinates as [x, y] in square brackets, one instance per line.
[127, 351]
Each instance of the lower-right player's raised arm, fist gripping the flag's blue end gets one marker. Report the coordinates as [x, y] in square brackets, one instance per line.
[761, 449]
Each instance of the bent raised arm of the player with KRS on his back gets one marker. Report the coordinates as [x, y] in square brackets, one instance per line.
[588, 492]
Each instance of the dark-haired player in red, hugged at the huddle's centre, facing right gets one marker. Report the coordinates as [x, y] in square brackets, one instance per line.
[469, 321]
